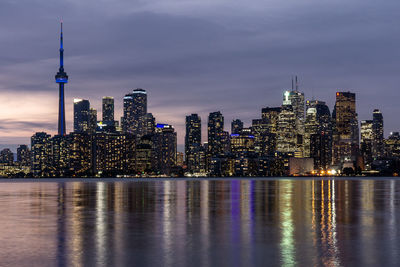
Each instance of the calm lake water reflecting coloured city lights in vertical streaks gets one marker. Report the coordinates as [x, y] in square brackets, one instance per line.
[235, 222]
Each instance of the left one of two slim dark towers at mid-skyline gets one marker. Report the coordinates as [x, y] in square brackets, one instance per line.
[192, 140]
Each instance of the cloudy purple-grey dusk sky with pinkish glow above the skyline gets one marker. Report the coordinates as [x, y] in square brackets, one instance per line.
[195, 57]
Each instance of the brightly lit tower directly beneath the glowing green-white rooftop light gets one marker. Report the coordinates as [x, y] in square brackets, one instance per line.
[286, 130]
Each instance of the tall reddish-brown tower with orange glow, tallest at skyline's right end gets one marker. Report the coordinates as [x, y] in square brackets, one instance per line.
[345, 137]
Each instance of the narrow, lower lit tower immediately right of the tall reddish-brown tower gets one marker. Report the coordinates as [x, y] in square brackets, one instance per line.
[367, 139]
